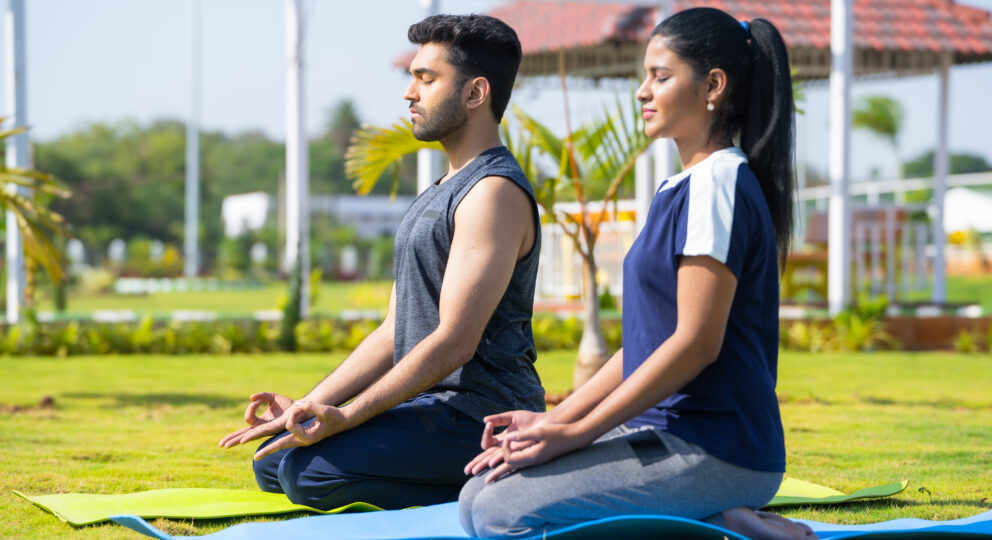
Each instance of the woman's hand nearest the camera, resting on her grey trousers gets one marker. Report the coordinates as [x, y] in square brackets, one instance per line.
[541, 444]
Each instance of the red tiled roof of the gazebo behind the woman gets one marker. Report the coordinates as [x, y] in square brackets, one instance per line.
[879, 25]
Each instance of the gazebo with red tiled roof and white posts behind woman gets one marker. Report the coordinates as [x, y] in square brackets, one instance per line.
[835, 39]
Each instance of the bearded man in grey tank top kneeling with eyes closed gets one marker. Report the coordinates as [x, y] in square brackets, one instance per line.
[456, 344]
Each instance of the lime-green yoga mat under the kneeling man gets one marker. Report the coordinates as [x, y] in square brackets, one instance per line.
[205, 503]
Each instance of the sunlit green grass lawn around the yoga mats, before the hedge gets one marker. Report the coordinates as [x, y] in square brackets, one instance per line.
[130, 423]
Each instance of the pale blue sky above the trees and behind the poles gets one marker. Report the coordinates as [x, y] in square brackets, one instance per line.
[119, 60]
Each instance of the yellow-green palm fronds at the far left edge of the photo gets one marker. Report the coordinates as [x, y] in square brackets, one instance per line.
[38, 225]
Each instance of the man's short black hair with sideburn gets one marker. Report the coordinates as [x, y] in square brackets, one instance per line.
[478, 46]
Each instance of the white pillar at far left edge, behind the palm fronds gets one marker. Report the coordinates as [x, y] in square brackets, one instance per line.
[17, 147]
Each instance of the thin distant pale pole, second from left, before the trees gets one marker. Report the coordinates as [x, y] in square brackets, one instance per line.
[191, 254]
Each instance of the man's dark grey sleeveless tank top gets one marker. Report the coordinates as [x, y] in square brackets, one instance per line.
[501, 375]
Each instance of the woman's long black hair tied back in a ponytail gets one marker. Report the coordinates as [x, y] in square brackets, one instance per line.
[759, 108]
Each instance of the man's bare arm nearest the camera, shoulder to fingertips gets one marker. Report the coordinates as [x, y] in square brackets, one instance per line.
[494, 227]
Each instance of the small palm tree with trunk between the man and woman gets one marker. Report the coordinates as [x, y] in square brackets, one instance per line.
[600, 155]
